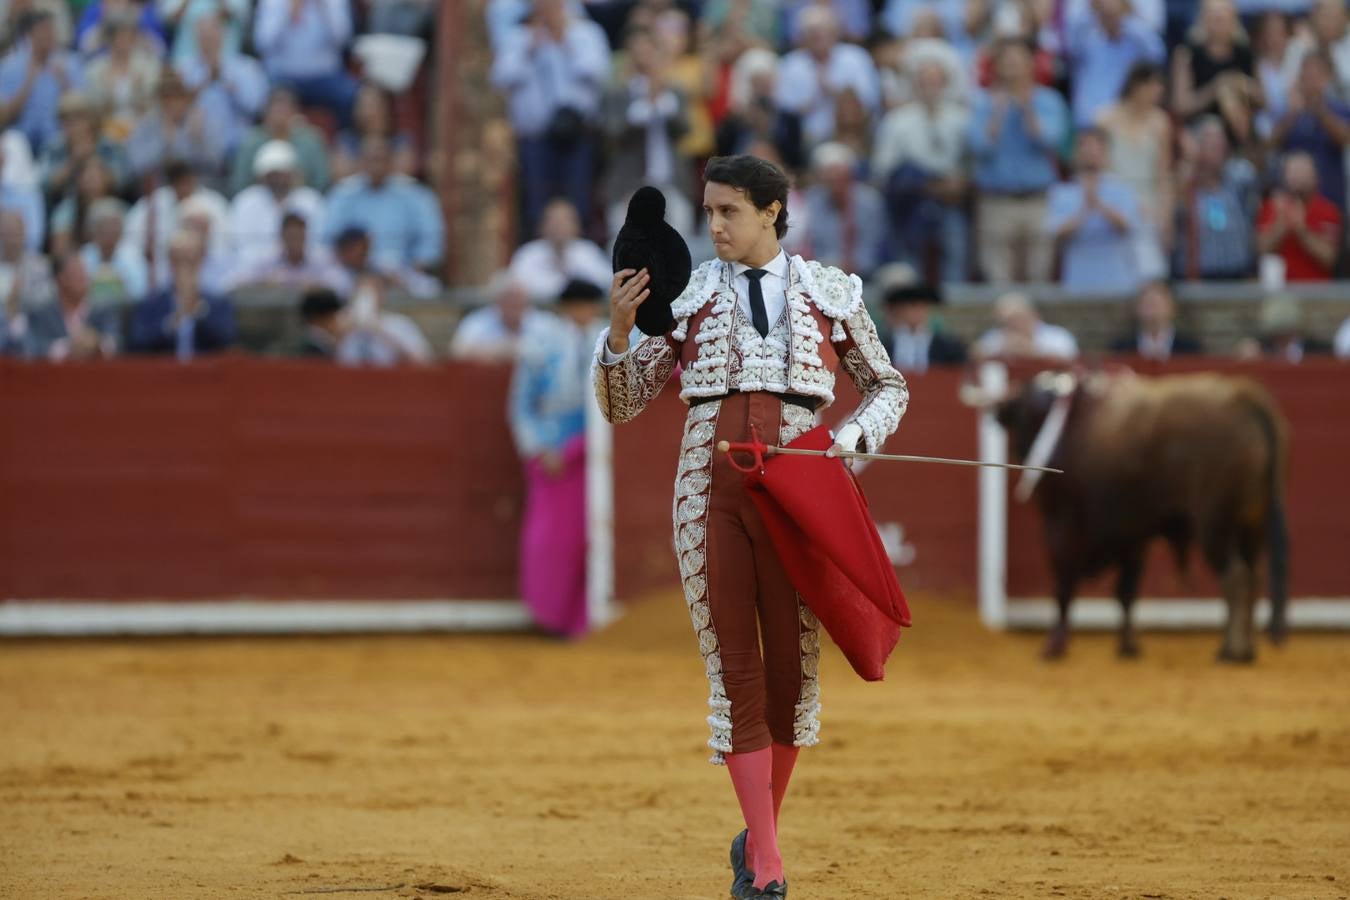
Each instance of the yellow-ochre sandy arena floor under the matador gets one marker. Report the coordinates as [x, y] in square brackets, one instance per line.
[514, 767]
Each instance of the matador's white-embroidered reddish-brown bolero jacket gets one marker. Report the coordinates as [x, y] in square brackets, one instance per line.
[828, 327]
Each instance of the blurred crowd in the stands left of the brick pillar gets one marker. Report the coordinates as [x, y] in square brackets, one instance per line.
[160, 156]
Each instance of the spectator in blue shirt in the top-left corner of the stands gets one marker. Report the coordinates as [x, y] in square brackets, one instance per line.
[33, 78]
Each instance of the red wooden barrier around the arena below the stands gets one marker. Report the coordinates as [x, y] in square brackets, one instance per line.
[290, 480]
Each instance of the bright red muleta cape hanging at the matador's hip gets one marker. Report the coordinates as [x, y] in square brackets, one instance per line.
[820, 524]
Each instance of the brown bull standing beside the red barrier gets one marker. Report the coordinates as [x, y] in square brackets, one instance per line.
[1194, 459]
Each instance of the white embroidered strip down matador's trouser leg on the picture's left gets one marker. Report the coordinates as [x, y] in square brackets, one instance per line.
[693, 486]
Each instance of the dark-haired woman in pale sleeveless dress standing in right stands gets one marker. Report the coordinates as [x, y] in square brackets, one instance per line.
[1141, 156]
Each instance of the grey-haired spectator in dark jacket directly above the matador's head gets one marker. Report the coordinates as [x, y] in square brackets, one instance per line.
[754, 115]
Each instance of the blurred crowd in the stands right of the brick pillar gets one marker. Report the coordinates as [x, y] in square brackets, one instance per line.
[1110, 146]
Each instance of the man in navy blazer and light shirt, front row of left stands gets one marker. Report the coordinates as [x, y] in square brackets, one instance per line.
[184, 319]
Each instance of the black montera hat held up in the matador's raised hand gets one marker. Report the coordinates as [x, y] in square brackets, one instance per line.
[649, 242]
